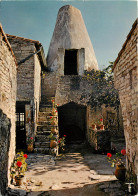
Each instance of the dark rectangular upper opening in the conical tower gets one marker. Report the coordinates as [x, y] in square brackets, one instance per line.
[70, 62]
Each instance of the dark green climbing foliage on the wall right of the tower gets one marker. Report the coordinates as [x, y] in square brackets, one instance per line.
[103, 91]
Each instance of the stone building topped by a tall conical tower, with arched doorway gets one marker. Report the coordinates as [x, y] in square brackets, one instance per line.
[71, 54]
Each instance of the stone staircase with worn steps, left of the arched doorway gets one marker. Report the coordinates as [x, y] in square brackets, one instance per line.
[42, 141]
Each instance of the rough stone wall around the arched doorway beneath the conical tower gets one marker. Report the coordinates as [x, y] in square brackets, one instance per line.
[78, 89]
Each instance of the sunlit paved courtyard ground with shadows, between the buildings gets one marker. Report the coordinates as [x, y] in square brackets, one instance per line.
[79, 172]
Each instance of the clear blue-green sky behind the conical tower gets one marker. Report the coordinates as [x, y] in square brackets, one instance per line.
[108, 22]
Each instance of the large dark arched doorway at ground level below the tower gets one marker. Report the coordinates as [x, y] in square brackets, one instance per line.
[72, 122]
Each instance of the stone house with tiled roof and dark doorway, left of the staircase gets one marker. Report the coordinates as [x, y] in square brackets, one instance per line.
[31, 62]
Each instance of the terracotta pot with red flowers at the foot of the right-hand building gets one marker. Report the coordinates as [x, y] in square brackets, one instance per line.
[118, 162]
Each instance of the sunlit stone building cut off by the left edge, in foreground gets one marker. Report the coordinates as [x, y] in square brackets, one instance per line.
[8, 70]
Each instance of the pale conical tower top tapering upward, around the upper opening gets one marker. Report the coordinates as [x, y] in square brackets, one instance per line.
[70, 33]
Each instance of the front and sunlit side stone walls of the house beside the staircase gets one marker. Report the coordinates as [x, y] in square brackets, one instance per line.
[28, 78]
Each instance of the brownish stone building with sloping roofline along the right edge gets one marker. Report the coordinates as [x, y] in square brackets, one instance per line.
[126, 81]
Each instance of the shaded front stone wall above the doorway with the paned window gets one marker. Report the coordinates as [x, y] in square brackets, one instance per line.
[25, 72]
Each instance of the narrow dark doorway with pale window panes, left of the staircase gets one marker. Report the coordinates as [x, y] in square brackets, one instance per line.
[20, 127]
